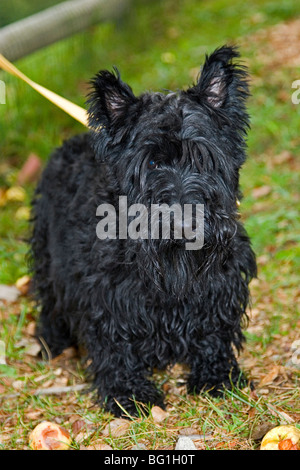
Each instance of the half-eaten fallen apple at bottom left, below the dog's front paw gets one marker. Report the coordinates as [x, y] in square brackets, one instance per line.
[49, 436]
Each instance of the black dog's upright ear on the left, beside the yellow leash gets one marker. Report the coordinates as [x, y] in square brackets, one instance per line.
[109, 101]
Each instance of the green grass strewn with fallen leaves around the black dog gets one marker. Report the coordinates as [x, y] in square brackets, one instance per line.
[157, 47]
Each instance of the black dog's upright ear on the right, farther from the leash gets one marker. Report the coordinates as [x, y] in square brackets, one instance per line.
[222, 84]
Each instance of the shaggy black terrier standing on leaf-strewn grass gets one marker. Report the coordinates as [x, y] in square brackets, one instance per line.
[136, 303]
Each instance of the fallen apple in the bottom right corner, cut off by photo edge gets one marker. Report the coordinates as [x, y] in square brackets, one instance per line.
[282, 438]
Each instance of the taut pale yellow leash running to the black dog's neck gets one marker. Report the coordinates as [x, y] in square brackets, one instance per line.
[70, 108]
